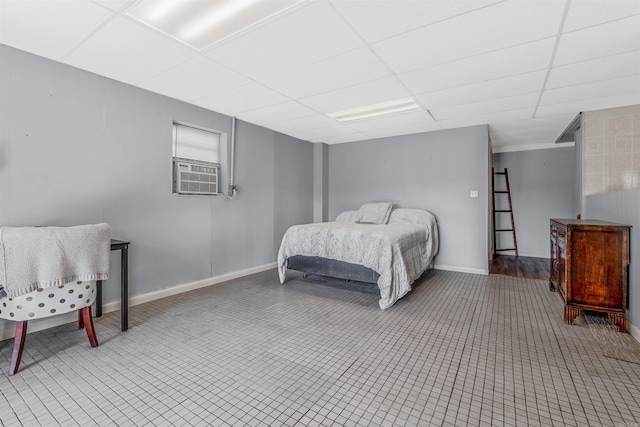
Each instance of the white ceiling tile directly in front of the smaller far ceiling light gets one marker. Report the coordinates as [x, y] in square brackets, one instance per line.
[358, 95]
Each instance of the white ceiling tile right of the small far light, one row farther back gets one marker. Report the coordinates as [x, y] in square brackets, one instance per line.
[527, 100]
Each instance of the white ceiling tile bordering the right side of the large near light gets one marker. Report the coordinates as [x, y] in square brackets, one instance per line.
[309, 34]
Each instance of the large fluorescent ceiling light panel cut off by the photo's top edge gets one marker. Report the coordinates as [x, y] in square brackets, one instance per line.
[200, 23]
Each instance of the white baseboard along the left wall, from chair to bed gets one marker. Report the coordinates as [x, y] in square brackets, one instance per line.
[38, 325]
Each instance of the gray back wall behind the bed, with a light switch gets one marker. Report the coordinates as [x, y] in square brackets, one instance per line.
[433, 171]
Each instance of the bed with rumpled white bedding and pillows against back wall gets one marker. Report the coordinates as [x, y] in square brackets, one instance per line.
[376, 244]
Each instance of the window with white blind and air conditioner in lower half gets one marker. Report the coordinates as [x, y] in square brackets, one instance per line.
[196, 160]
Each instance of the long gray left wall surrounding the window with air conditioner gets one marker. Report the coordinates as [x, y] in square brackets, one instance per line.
[80, 148]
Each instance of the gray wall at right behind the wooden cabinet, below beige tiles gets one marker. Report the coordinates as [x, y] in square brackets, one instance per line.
[622, 207]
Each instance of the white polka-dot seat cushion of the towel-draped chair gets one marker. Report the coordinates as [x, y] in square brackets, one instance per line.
[48, 301]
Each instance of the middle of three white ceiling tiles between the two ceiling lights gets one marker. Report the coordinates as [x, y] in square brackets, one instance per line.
[335, 73]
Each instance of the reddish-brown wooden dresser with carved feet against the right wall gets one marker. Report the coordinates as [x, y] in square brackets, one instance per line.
[589, 267]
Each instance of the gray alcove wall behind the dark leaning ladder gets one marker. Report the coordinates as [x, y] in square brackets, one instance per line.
[542, 187]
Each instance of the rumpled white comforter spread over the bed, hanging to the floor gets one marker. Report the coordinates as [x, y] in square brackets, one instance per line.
[399, 252]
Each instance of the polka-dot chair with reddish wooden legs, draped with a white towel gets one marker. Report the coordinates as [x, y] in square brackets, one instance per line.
[47, 271]
